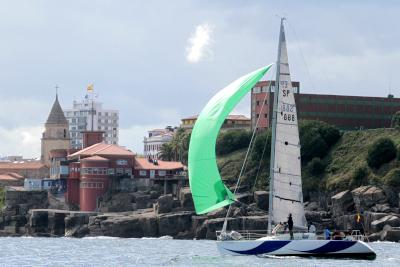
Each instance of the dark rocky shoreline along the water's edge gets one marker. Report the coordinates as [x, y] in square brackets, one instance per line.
[149, 214]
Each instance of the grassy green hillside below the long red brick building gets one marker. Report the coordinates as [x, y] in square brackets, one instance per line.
[344, 157]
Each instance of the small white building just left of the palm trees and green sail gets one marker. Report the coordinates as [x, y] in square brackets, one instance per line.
[156, 138]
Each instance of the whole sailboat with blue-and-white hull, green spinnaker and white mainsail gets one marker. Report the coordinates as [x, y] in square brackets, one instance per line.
[285, 196]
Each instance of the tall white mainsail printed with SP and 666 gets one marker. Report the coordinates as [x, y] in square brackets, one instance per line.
[286, 193]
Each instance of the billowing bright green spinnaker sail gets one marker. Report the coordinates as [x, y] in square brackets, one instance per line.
[208, 191]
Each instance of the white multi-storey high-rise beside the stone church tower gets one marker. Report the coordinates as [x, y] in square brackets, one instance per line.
[88, 115]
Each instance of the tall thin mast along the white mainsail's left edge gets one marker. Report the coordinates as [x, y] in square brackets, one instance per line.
[273, 125]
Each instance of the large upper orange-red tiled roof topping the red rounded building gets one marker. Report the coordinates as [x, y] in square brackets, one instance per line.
[102, 149]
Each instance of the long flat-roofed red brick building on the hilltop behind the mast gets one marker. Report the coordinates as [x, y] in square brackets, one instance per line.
[346, 112]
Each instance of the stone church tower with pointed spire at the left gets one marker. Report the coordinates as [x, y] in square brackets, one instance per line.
[56, 133]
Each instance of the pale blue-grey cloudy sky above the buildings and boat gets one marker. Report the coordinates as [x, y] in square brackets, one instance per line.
[159, 61]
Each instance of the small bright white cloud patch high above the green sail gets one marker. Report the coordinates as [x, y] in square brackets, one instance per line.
[199, 44]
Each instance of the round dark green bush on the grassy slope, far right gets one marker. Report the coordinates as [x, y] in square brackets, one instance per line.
[381, 151]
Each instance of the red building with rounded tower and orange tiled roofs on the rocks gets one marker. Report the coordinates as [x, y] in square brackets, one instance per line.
[98, 169]
